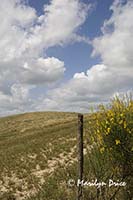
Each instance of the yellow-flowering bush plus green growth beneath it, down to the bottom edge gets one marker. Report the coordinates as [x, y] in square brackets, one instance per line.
[111, 134]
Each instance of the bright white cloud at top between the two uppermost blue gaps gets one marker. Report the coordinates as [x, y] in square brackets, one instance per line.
[61, 21]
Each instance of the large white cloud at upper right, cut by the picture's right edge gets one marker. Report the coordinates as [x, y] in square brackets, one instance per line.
[115, 46]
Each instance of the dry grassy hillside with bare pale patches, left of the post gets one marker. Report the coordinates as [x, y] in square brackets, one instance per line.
[37, 155]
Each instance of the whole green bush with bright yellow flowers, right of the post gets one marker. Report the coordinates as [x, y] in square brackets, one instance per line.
[111, 131]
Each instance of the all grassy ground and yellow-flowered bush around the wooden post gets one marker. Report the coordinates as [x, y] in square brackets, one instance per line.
[38, 154]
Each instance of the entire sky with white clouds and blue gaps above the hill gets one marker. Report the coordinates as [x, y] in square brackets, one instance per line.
[64, 55]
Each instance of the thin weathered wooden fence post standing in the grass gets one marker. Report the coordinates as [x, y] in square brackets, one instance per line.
[80, 154]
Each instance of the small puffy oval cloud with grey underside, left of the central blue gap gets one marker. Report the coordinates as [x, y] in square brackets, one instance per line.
[42, 71]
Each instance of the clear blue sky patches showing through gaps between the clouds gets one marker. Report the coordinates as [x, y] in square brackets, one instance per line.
[77, 56]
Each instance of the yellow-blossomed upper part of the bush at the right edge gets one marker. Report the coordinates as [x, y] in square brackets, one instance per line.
[112, 130]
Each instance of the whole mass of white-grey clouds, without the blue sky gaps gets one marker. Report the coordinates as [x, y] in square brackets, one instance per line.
[23, 65]
